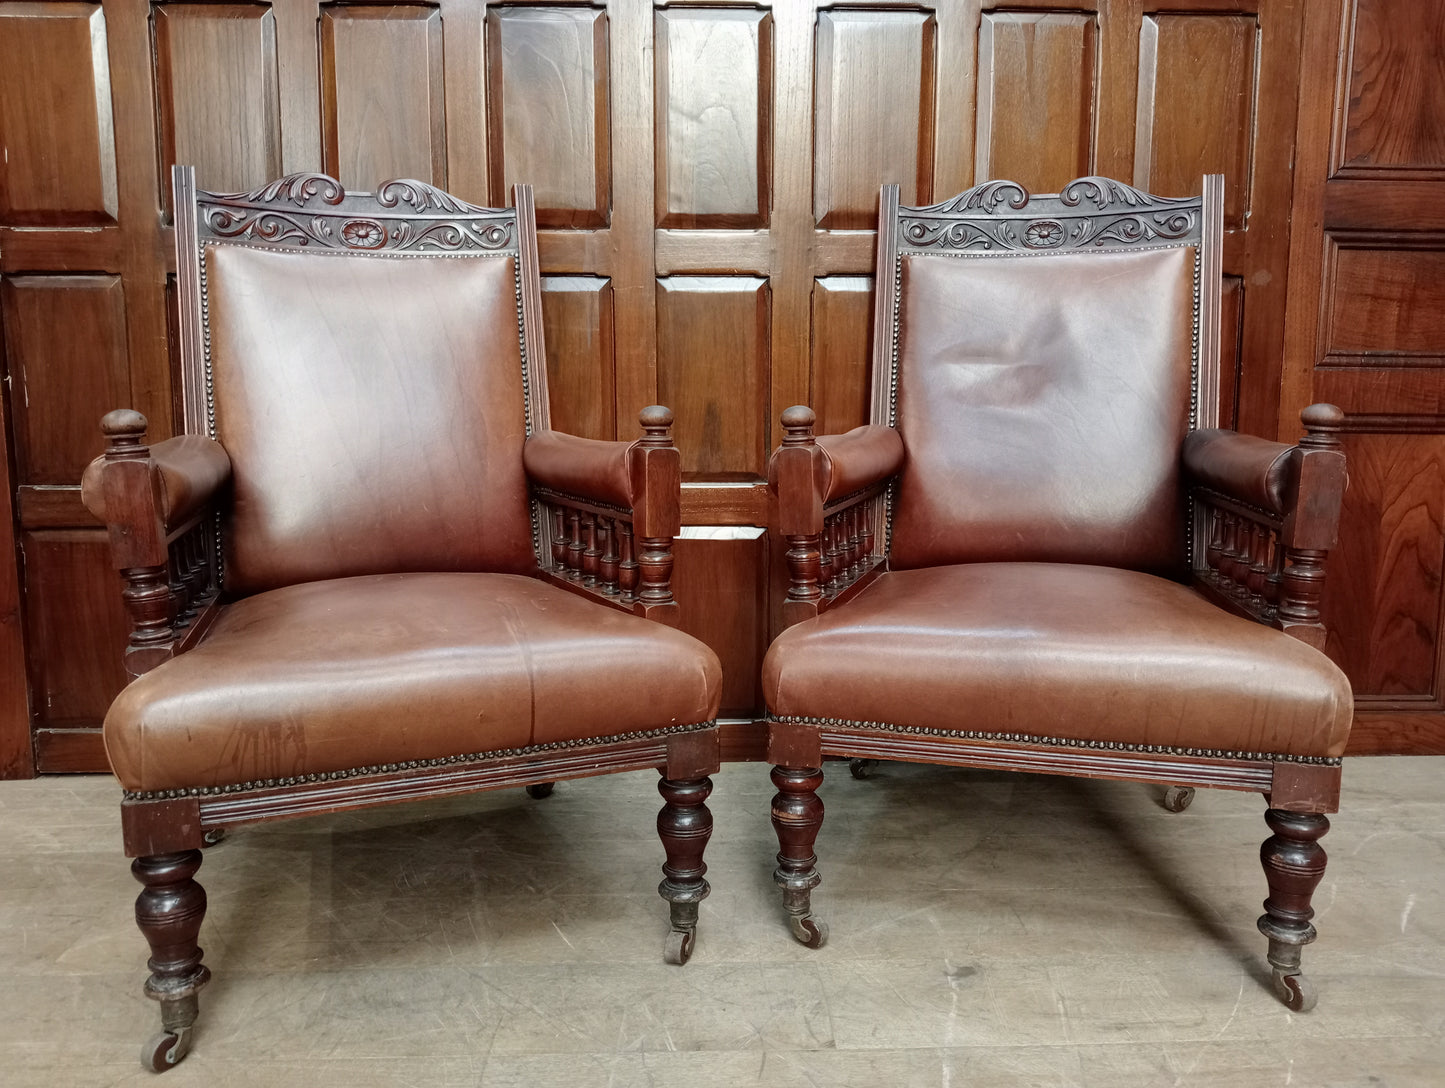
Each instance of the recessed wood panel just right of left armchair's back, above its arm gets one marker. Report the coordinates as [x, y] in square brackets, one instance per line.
[577, 317]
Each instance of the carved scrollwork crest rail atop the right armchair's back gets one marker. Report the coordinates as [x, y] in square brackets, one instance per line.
[1002, 216]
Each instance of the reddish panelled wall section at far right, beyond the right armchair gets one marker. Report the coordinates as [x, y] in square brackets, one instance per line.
[1366, 326]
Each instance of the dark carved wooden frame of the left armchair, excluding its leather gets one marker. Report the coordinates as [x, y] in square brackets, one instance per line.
[173, 586]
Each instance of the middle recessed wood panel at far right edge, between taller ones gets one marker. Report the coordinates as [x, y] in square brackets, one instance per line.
[1388, 303]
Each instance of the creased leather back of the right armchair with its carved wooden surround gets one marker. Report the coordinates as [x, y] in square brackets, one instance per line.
[1044, 359]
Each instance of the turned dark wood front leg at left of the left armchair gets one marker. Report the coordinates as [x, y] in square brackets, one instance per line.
[170, 911]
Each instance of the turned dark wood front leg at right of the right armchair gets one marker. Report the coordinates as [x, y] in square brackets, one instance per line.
[1294, 865]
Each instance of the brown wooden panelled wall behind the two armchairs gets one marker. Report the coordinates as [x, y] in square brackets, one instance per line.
[706, 177]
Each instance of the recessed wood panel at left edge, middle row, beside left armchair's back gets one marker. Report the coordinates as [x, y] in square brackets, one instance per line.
[66, 356]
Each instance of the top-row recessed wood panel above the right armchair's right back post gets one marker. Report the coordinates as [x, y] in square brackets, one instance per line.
[1196, 113]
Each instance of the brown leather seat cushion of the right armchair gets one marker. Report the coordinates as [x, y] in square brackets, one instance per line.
[1060, 651]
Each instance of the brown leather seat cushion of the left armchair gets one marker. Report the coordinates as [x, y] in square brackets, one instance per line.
[376, 670]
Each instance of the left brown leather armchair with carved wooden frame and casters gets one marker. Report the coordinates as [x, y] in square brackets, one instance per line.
[369, 571]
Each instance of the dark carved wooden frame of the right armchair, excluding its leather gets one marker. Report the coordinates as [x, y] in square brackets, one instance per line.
[1264, 566]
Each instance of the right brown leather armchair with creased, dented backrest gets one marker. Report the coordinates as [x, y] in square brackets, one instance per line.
[1043, 554]
